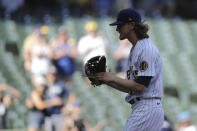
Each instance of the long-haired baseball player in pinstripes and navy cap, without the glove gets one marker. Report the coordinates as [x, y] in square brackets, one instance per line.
[144, 74]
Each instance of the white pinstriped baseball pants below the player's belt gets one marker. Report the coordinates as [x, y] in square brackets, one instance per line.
[145, 116]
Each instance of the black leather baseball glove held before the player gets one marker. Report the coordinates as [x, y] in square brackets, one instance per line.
[95, 65]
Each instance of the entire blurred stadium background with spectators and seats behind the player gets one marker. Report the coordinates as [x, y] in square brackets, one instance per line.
[45, 43]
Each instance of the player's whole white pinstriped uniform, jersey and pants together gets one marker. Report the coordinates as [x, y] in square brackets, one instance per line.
[147, 115]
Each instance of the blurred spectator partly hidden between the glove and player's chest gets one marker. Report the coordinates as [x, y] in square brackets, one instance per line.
[120, 55]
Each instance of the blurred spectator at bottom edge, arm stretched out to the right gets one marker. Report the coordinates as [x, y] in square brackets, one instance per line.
[76, 123]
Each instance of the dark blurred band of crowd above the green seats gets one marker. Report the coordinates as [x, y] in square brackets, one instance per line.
[96, 8]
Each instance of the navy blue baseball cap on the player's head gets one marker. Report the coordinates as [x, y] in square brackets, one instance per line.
[127, 15]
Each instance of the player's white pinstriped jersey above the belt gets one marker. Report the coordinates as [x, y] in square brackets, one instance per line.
[145, 60]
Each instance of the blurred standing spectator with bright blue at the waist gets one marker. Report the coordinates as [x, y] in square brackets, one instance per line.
[64, 54]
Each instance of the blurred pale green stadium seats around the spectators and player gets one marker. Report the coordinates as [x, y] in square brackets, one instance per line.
[174, 38]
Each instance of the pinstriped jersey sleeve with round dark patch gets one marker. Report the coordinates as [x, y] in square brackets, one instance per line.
[146, 62]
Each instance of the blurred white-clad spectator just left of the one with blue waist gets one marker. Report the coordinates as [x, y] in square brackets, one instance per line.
[40, 54]
